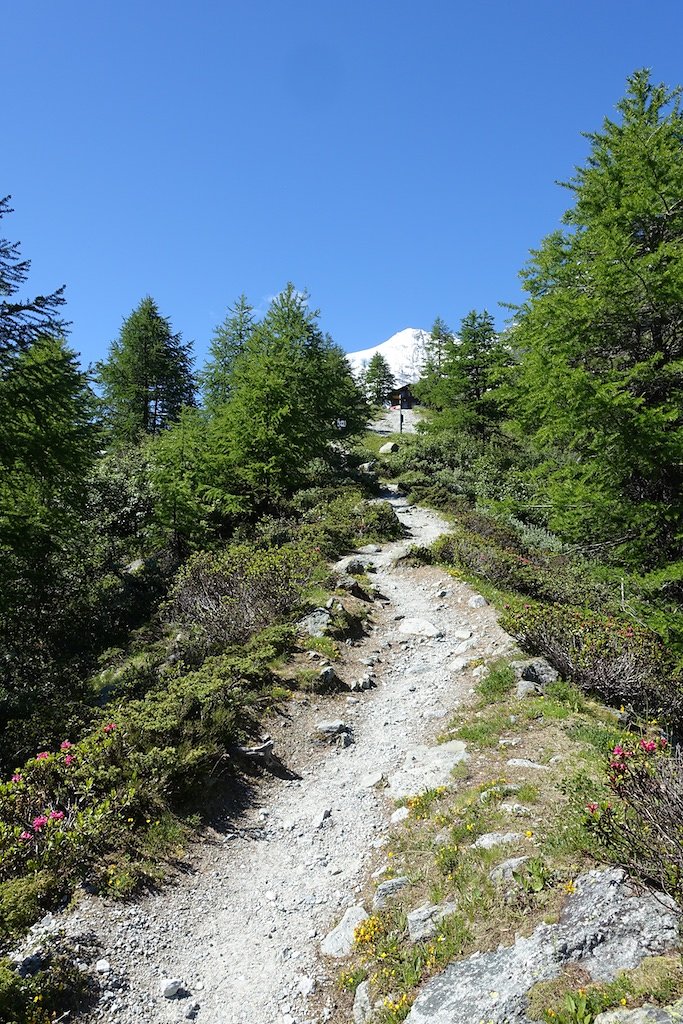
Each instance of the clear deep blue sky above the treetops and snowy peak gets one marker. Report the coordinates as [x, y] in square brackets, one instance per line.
[397, 159]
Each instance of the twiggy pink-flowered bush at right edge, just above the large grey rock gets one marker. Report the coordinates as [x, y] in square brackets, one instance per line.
[641, 828]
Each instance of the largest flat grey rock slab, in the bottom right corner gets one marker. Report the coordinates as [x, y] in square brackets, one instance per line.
[606, 927]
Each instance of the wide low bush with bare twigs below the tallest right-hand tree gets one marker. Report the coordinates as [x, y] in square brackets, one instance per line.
[619, 661]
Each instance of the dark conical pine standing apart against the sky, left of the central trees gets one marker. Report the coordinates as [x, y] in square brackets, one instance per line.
[147, 378]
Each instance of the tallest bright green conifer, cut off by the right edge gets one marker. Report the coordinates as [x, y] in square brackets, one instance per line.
[602, 334]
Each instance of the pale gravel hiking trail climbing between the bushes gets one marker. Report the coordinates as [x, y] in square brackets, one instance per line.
[241, 929]
